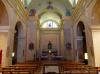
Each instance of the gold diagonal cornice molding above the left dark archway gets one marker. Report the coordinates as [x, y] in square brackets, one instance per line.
[19, 9]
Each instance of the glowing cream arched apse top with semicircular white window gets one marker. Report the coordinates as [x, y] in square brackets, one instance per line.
[48, 17]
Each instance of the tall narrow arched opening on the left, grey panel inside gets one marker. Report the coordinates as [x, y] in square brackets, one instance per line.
[18, 46]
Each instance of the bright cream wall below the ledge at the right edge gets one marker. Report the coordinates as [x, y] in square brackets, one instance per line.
[96, 46]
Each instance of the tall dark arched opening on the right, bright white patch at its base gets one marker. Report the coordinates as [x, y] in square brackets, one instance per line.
[81, 43]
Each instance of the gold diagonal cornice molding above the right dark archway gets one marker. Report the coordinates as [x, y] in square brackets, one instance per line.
[80, 8]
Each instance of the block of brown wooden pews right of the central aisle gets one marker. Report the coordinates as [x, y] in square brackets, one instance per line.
[76, 68]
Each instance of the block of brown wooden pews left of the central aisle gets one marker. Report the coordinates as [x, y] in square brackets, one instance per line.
[22, 68]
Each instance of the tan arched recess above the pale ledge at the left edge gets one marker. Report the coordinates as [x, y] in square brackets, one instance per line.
[3, 15]
